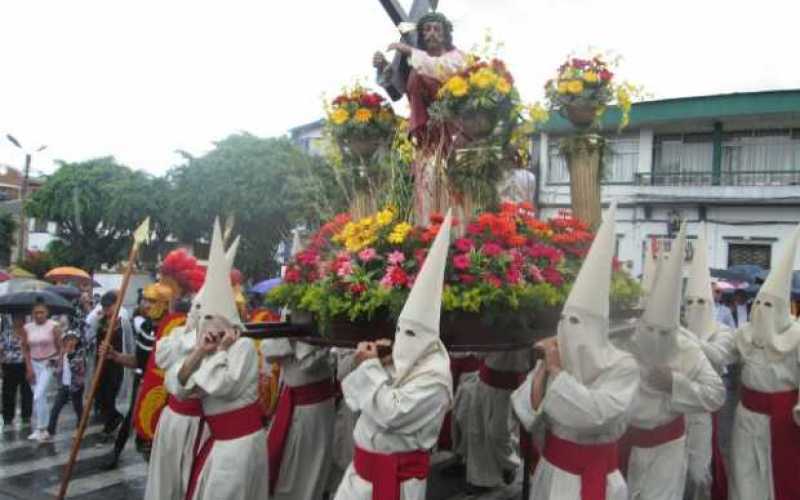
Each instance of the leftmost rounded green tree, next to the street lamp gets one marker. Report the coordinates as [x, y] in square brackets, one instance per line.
[96, 205]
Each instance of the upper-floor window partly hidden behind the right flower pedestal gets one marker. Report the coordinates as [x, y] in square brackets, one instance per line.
[620, 161]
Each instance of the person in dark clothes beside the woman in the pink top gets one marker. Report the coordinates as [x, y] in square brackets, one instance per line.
[70, 372]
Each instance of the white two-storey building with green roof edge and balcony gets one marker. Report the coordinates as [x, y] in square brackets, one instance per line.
[731, 161]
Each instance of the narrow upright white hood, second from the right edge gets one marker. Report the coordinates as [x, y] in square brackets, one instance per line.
[700, 308]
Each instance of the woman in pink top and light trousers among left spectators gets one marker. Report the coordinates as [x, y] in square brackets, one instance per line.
[42, 352]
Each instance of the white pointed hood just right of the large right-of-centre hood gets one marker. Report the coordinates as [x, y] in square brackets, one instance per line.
[657, 330]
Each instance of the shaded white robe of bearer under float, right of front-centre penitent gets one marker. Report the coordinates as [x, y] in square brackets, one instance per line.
[491, 436]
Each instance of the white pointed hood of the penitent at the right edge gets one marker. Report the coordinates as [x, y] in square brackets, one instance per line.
[771, 324]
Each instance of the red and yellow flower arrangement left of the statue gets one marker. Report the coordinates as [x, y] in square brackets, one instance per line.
[359, 117]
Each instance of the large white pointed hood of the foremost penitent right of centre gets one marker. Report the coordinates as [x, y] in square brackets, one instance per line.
[583, 341]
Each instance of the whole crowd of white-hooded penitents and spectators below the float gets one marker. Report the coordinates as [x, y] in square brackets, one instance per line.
[598, 416]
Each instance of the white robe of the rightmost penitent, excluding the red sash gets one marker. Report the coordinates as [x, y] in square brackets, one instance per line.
[751, 460]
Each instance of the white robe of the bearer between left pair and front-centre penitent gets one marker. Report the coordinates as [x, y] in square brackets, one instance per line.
[307, 454]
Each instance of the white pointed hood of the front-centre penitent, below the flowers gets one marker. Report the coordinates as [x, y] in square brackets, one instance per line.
[417, 336]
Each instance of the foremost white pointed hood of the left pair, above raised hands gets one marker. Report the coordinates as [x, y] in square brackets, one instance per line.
[217, 298]
